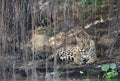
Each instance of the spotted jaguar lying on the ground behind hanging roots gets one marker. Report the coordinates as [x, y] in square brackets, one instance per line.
[83, 52]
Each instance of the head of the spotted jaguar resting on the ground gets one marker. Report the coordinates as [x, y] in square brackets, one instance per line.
[86, 48]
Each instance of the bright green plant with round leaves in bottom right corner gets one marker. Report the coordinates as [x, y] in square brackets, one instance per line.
[110, 70]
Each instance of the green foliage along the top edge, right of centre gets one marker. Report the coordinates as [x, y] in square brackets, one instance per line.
[88, 5]
